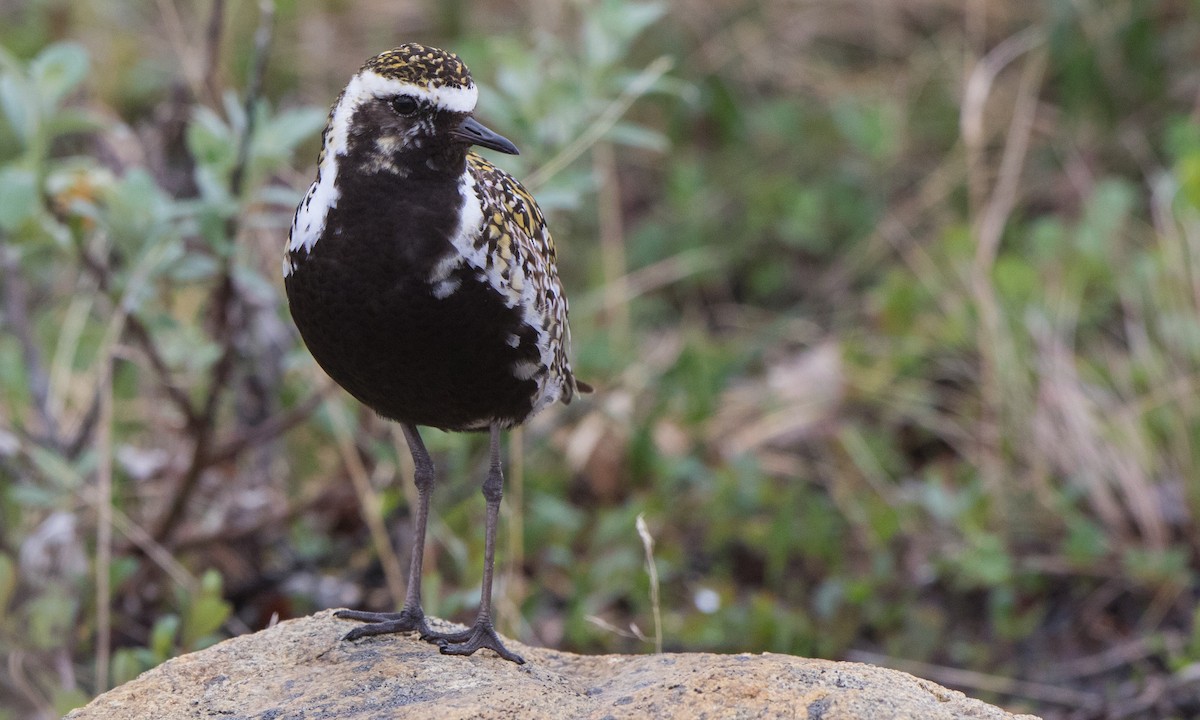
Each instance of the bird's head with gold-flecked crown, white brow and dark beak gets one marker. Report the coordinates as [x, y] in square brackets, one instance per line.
[407, 110]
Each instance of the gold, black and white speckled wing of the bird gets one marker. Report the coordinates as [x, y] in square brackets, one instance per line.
[519, 247]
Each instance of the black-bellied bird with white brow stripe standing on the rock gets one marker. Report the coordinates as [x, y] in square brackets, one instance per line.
[423, 280]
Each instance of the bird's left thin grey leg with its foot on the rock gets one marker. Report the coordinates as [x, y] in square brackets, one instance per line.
[411, 616]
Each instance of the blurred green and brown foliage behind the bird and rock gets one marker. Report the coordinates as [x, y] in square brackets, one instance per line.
[893, 309]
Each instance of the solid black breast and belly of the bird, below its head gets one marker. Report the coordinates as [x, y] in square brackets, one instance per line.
[365, 308]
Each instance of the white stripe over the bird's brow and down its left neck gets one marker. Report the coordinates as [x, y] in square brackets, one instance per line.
[310, 219]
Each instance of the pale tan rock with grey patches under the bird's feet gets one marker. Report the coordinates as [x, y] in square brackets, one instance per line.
[303, 670]
